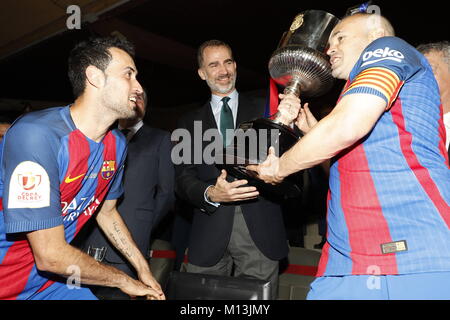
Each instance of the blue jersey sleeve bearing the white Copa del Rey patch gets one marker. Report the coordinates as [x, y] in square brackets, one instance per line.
[31, 198]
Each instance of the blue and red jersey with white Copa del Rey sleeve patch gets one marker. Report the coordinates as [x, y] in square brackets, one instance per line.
[51, 174]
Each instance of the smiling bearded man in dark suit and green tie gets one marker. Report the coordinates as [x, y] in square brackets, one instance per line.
[234, 227]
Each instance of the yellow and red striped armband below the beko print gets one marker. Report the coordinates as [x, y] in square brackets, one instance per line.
[378, 81]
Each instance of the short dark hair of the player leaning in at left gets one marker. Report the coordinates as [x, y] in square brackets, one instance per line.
[93, 52]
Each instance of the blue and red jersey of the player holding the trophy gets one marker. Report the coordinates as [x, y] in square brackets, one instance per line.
[388, 203]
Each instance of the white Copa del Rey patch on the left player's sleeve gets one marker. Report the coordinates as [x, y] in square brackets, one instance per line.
[29, 186]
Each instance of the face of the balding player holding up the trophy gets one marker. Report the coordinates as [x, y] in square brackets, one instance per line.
[347, 41]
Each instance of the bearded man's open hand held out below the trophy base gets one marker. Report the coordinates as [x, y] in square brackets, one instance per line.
[224, 191]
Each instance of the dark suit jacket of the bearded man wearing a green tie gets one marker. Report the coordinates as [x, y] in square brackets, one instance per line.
[211, 226]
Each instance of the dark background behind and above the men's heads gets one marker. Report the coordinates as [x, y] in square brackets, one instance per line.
[167, 33]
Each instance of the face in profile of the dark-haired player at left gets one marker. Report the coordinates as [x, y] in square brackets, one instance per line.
[121, 88]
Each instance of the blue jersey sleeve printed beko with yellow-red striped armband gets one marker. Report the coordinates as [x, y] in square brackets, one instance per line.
[384, 66]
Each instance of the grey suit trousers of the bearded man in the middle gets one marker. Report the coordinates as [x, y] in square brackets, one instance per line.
[242, 254]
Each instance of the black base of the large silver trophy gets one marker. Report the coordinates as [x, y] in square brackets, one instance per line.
[250, 146]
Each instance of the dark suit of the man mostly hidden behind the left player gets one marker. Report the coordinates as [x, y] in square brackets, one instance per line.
[148, 191]
